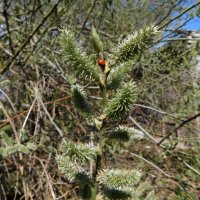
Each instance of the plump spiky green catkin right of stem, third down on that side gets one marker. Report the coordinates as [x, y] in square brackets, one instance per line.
[120, 106]
